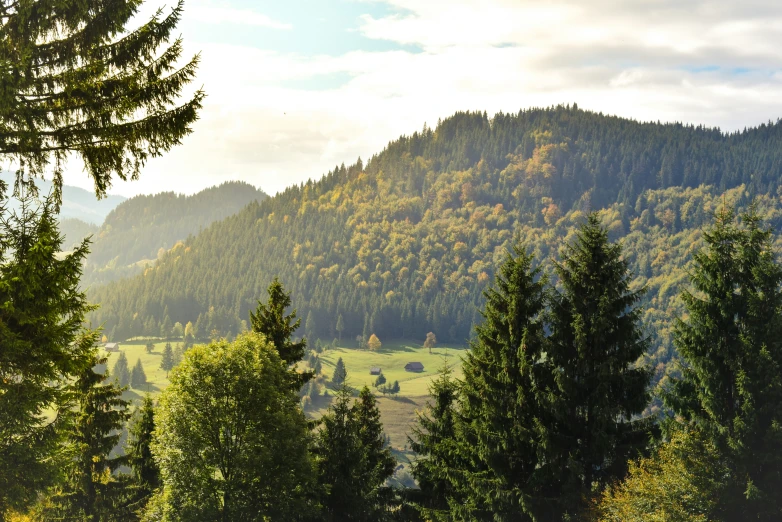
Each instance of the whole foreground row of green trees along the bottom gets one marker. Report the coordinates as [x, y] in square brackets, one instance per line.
[546, 424]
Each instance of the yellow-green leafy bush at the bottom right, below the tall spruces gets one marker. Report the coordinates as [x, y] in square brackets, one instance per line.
[682, 482]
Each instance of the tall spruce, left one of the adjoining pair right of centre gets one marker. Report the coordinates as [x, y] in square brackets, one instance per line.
[498, 426]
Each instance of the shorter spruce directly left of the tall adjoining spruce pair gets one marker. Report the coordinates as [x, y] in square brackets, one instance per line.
[434, 443]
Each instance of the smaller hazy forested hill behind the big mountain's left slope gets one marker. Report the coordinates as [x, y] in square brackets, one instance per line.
[138, 231]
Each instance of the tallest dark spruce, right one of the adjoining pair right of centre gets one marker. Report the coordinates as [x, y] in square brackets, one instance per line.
[596, 388]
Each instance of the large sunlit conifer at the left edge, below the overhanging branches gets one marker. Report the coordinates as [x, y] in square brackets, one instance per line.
[42, 346]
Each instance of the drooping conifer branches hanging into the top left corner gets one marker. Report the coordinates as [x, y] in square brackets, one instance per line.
[80, 81]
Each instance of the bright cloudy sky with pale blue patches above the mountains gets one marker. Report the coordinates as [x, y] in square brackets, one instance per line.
[296, 87]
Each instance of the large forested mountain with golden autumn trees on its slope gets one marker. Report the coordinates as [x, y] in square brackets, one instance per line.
[407, 243]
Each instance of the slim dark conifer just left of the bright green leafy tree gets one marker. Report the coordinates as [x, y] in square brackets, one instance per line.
[146, 472]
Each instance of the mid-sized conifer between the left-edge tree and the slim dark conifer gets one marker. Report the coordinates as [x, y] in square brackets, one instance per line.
[91, 491]
